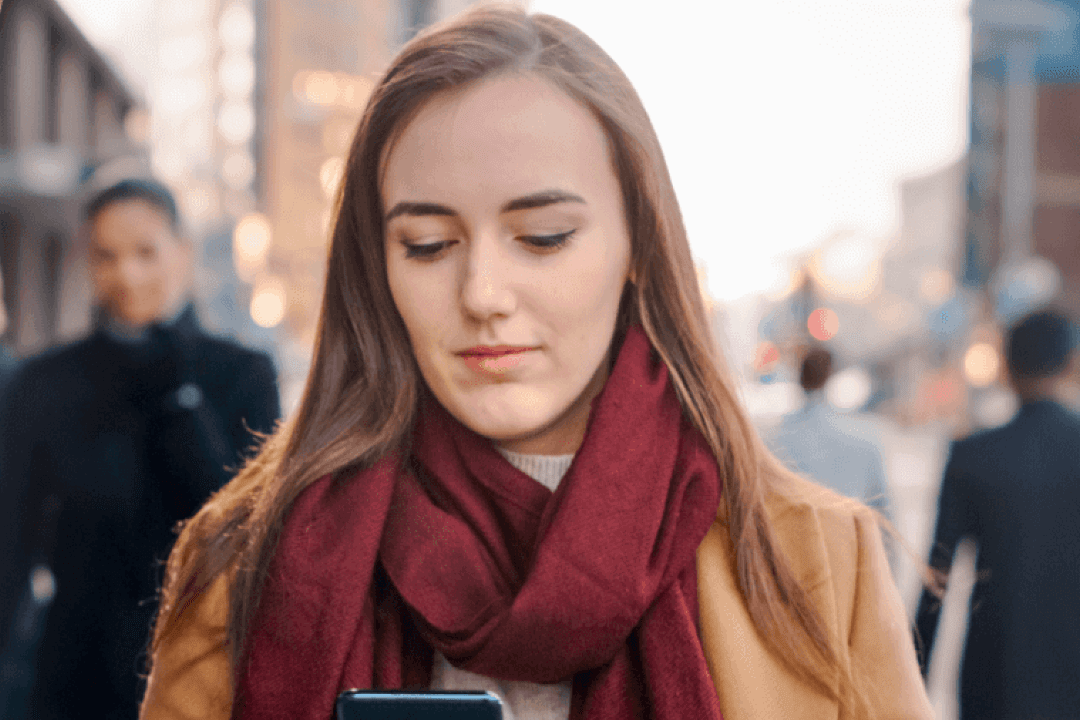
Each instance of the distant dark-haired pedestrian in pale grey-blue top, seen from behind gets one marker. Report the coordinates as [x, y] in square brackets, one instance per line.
[838, 451]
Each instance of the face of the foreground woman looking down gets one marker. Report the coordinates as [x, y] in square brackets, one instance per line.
[507, 255]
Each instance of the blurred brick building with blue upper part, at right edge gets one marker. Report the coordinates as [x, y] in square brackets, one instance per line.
[1023, 184]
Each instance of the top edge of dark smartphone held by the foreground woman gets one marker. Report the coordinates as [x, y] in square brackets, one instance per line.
[414, 705]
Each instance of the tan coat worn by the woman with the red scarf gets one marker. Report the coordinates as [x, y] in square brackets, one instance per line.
[835, 549]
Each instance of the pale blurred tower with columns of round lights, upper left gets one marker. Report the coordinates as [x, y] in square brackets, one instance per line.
[206, 93]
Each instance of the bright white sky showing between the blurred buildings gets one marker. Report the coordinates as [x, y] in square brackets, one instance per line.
[781, 120]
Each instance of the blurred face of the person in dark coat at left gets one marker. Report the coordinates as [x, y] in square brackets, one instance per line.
[139, 267]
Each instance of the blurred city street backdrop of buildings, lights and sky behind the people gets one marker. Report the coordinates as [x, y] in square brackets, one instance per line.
[897, 181]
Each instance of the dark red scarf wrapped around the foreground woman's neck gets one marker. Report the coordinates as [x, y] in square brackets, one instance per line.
[463, 553]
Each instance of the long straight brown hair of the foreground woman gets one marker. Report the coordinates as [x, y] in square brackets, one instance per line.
[362, 391]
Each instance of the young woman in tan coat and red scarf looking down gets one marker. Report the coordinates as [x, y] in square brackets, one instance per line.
[519, 464]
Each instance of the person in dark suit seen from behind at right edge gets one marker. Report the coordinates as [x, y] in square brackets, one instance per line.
[1016, 493]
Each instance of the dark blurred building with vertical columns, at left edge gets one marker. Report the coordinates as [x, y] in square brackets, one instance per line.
[63, 110]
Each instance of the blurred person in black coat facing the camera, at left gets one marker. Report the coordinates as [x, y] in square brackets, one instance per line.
[111, 443]
